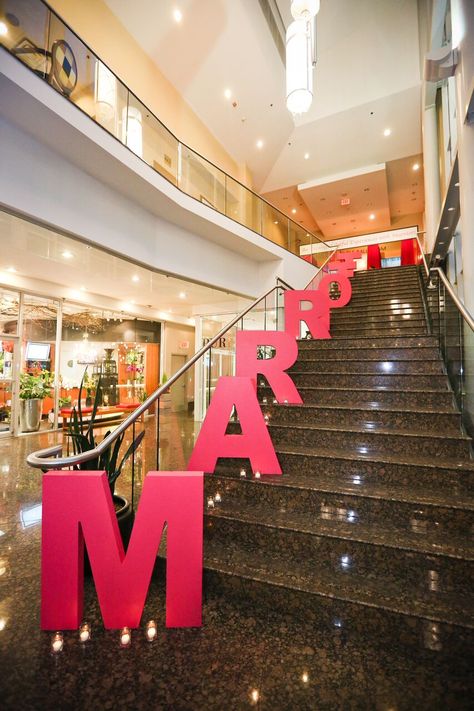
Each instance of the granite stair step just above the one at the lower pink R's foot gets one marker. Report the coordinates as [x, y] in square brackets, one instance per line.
[362, 381]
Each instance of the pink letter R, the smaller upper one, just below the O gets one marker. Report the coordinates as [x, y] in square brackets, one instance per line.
[316, 318]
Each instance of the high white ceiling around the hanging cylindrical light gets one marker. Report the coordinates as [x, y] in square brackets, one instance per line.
[367, 79]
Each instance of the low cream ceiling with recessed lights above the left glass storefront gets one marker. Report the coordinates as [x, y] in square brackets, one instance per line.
[87, 274]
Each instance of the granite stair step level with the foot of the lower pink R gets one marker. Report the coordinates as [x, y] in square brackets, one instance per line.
[427, 399]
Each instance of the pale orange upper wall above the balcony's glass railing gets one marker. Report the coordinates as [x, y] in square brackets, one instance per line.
[96, 25]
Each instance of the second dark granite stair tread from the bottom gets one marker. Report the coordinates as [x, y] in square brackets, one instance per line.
[453, 546]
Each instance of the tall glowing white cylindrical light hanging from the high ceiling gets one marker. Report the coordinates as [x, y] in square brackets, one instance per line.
[300, 56]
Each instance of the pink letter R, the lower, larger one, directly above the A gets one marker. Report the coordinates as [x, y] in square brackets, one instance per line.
[248, 365]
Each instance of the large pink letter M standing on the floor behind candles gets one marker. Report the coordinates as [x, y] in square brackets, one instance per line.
[78, 507]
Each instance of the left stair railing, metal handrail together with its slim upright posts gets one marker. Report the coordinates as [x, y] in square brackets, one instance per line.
[49, 458]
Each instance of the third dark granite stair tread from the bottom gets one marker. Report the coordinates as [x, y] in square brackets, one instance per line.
[344, 485]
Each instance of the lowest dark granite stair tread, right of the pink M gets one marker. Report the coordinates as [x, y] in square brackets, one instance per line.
[360, 590]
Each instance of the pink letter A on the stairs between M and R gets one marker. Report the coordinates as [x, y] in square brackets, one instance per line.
[254, 443]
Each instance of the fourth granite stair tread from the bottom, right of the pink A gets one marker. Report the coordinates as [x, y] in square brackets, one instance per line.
[412, 460]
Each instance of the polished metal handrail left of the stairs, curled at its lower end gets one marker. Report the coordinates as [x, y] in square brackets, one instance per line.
[48, 459]
